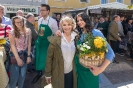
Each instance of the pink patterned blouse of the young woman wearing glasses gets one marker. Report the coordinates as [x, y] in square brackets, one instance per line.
[22, 42]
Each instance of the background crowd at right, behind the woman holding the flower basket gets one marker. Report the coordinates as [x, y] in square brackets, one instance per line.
[118, 32]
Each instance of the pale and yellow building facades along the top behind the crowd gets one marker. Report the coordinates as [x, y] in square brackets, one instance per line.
[57, 6]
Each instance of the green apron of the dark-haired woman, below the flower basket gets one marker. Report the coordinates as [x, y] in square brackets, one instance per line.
[85, 78]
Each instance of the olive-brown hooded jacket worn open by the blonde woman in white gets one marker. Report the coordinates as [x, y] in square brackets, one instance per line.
[55, 64]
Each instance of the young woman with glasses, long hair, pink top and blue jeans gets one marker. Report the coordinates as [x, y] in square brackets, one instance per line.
[20, 42]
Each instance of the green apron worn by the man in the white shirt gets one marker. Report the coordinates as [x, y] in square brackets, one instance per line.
[41, 45]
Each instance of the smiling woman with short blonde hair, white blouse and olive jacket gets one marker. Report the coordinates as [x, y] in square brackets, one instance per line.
[59, 69]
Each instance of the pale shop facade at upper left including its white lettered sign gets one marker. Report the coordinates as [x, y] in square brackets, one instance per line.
[28, 6]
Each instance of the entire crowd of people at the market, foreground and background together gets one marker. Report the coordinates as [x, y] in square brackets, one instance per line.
[50, 47]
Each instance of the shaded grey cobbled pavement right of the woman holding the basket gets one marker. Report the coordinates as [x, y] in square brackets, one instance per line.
[119, 73]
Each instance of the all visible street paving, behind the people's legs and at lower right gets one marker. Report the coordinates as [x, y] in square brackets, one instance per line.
[114, 74]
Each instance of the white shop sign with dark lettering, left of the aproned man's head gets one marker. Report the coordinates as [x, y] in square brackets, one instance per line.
[14, 9]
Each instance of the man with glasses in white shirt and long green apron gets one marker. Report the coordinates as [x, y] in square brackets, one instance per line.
[47, 27]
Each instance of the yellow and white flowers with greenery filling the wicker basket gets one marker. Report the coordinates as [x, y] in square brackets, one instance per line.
[93, 45]
